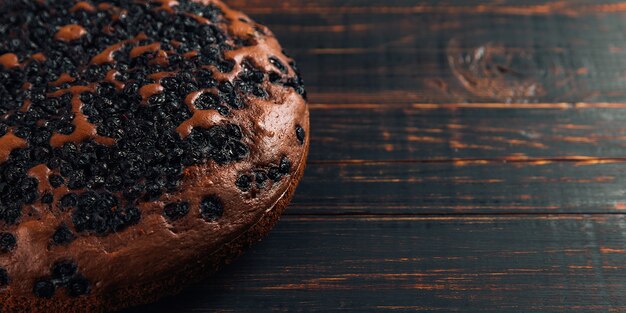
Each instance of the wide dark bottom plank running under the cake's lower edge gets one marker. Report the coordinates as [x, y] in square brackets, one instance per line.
[428, 264]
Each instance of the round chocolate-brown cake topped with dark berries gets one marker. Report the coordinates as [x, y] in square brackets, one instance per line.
[143, 144]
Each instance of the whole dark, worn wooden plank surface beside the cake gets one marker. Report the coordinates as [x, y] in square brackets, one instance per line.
[466, 156]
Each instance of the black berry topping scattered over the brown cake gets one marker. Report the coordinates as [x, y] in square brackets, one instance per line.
[134, 151]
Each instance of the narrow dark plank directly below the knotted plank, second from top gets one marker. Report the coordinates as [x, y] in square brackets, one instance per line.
[426, 132]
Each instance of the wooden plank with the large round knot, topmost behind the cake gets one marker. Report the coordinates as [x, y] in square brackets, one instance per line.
[398, 51]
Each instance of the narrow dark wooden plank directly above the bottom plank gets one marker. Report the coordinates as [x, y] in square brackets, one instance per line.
[462, 187]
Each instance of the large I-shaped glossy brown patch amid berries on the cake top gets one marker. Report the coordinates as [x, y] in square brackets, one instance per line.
[83, 129]
